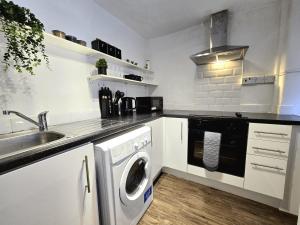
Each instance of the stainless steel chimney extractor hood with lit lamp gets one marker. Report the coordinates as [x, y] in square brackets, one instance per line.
[219, 50]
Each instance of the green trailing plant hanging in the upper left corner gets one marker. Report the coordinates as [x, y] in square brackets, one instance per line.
[24, 37]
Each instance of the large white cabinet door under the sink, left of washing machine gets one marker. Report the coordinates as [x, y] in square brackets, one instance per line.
[52, 191]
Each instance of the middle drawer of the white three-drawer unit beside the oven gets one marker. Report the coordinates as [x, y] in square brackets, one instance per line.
[268, 148]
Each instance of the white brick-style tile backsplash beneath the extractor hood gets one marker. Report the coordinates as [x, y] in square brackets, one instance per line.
[219, 87]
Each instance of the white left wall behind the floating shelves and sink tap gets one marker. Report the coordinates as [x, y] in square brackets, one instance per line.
[64, 89]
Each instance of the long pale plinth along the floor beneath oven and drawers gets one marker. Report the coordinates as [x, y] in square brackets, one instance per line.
[227, 188]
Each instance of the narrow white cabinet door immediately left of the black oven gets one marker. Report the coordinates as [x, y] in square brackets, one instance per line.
[176, 134]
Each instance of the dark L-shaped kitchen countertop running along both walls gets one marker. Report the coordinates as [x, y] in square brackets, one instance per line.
[82, 132]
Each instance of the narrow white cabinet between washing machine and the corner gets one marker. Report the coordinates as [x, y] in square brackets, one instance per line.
[157, 144]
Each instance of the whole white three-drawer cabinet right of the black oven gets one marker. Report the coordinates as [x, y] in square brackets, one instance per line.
[267, 156]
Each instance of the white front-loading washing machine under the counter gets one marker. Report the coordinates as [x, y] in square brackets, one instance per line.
[124, 181]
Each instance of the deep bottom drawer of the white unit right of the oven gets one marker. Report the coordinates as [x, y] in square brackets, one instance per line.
[265, 175]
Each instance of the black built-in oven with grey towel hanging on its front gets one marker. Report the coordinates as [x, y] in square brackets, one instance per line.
[233, 142]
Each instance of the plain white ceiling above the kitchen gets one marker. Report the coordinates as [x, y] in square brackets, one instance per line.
[154, 18]
